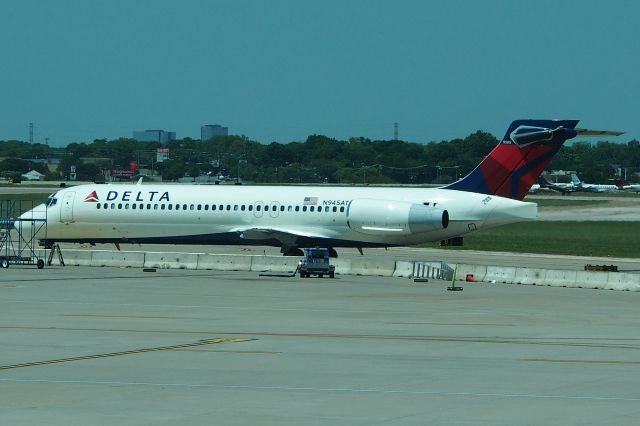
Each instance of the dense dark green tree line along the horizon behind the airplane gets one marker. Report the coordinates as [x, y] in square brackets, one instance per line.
[319, 159]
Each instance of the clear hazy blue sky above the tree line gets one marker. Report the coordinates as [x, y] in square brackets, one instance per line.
[282, 70]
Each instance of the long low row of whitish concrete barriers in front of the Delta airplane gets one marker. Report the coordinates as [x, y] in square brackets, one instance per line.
[356, 266]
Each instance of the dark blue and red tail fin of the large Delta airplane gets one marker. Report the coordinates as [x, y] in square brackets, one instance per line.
[519, 159]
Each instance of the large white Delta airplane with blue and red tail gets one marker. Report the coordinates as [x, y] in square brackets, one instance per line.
[293, 217]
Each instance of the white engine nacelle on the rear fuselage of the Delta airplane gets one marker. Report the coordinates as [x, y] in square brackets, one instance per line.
[385, 217]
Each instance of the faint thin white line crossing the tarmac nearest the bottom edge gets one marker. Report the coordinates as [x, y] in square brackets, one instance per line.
[333, 390]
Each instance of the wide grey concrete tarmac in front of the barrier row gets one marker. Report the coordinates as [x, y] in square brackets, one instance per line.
[106, 346]
